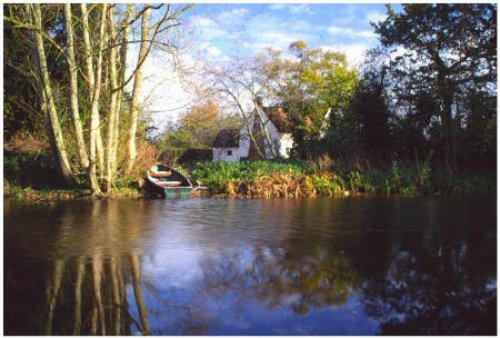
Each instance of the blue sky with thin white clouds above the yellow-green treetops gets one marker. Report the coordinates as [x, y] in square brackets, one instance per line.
[246, 29]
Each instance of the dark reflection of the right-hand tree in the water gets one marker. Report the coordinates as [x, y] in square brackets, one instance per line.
[439, 280]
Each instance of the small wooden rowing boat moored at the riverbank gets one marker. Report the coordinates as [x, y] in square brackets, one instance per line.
[166, 182]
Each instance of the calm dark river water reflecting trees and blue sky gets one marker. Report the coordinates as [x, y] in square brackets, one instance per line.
[217, 267]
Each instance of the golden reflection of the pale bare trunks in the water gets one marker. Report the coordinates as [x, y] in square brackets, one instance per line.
[86, 277]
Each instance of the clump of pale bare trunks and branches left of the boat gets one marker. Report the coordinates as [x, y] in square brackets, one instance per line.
[104, 80]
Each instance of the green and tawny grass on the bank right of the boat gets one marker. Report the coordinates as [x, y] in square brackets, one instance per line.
[267, 179]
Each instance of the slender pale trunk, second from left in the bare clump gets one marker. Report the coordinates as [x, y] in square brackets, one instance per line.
[73, 69]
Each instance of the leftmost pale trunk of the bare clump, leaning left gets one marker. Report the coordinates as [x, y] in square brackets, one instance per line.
[57, 146]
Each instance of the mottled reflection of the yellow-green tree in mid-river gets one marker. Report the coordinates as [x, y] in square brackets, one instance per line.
[313, 275]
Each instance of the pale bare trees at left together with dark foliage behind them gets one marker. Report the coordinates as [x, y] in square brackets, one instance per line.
[92, 49]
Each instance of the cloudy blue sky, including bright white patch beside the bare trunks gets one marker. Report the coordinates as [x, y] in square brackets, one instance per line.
[220, 32]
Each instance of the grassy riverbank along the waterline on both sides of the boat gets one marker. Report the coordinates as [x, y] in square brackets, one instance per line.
[31, 178]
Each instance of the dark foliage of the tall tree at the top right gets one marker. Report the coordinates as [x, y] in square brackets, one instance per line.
[438, 94]
